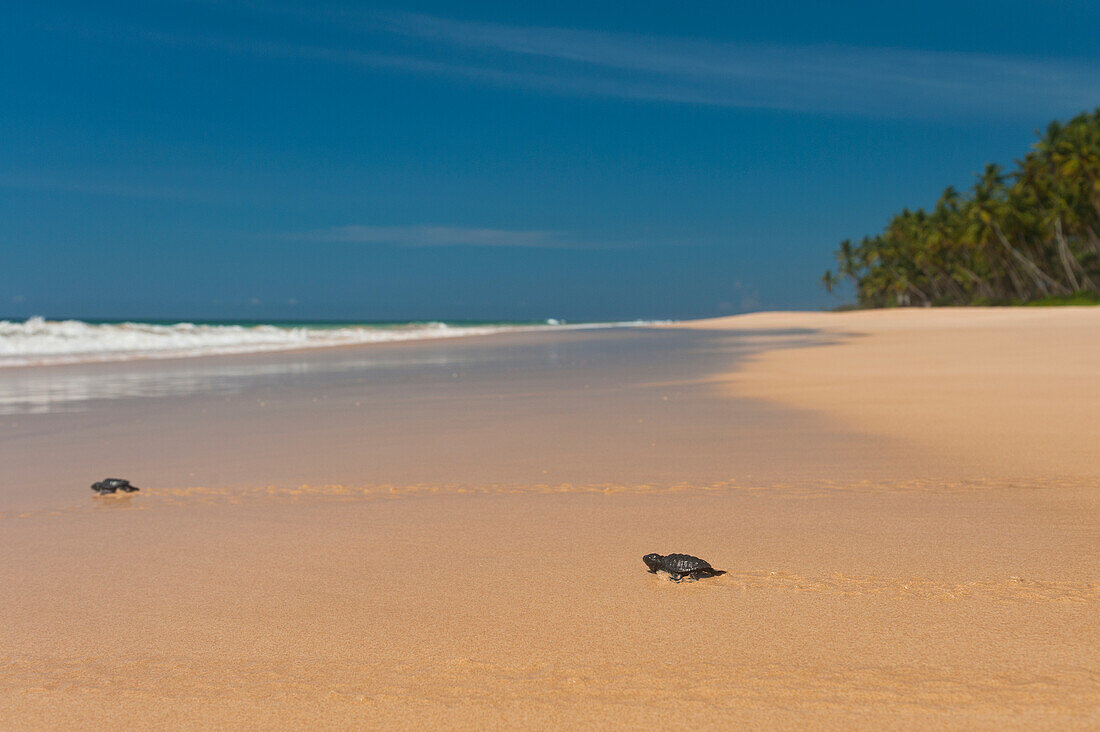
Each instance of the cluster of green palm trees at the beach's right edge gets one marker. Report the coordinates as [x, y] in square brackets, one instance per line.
[1029, 236]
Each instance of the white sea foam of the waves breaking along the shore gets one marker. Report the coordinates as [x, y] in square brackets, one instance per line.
[38, 342]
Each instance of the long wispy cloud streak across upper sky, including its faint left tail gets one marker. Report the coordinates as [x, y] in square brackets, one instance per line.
[811, 79]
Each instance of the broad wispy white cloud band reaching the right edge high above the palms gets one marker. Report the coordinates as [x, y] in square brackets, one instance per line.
[805, 78]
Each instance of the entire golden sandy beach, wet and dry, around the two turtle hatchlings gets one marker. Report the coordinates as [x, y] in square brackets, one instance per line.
[450, 534]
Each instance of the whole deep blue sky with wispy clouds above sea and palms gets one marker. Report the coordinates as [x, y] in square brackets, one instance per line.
[214, 159]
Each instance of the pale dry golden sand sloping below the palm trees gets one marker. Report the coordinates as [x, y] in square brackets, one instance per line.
[1003, 392]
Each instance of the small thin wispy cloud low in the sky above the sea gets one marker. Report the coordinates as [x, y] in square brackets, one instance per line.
[439, 236]
